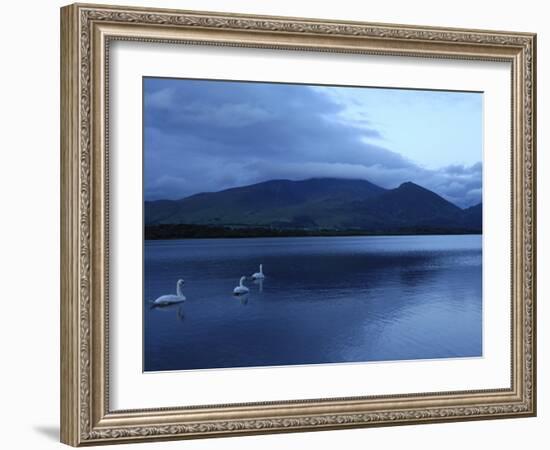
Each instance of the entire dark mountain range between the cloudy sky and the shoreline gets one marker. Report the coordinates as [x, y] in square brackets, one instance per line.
[318, 204]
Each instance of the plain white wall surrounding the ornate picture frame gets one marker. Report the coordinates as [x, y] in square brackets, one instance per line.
[29, 241]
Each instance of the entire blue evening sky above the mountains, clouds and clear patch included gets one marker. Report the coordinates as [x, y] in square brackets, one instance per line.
[207, 135]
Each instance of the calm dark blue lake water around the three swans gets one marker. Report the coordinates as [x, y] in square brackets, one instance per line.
[324, 300]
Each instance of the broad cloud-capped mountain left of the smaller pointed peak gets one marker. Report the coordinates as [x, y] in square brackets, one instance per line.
[271, 203]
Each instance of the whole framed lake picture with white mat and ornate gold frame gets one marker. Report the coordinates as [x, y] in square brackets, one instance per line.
[274, 224]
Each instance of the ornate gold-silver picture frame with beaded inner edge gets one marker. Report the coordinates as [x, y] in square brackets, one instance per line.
[86, 31]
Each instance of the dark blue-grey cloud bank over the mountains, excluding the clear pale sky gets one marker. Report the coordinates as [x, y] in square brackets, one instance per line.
[211, 135]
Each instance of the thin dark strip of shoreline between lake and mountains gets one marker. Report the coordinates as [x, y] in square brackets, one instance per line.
[188, 231]
